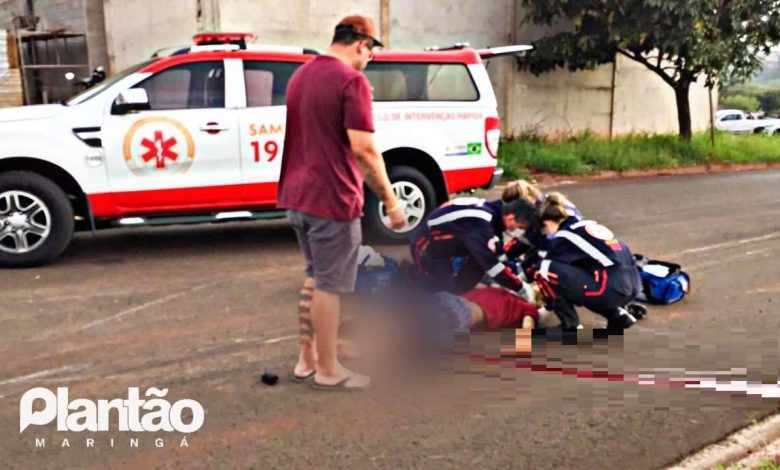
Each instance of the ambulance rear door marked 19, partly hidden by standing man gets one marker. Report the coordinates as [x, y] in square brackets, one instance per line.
[262, 128]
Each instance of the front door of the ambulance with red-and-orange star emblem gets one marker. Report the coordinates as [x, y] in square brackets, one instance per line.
[182, 154]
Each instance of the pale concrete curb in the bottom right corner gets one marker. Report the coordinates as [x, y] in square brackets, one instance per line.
[736, 447]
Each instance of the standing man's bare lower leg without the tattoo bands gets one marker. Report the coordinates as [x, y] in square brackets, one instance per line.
[325, 309]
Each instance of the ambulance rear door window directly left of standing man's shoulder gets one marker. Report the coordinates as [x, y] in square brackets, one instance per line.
[266, 82]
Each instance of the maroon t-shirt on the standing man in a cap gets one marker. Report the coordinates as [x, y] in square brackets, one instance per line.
[320, 175]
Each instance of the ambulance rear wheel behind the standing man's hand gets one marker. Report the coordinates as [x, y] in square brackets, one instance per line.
[416, 188]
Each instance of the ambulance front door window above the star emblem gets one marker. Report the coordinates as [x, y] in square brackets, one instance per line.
[195, 85]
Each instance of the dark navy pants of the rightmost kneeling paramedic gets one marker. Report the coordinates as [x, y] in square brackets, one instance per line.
[603, 291]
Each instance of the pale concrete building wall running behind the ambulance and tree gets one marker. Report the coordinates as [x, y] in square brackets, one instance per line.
[555, 103]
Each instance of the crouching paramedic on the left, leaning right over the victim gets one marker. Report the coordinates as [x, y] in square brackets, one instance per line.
[460, 242]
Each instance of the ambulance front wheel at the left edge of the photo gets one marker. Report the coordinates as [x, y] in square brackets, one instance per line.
[51, 210]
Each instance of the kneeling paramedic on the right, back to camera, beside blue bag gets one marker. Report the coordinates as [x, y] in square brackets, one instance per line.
[585, 265]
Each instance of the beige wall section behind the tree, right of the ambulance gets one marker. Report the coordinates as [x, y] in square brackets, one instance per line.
[562, 102]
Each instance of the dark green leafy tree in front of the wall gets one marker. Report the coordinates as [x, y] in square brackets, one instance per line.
[678, 40]
